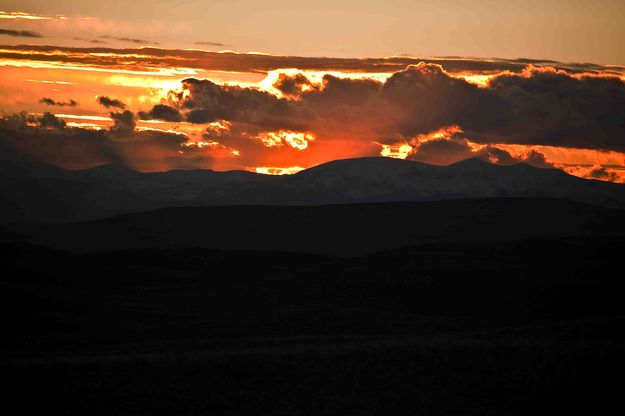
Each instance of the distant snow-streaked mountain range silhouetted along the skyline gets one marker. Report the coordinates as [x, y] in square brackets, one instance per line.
[31, 191]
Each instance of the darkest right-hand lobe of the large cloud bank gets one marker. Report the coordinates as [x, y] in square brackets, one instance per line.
[552, 108]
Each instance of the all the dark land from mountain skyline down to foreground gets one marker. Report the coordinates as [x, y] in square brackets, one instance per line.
[502, 304]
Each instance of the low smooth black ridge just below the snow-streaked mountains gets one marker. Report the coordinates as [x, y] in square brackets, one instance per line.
[345, 230]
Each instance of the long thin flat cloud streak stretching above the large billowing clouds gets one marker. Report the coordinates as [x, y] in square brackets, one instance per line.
[152, 59]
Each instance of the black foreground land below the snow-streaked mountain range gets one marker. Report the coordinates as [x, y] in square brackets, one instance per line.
[459, 323]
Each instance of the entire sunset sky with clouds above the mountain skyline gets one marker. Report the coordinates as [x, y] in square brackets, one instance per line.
[278, 86]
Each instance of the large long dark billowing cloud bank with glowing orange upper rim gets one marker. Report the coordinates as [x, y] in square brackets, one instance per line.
[538, 107]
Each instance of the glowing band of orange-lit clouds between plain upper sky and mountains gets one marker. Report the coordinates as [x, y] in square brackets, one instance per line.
[440, 113]
